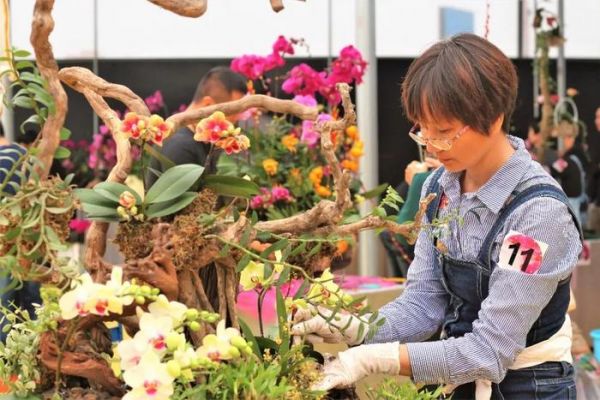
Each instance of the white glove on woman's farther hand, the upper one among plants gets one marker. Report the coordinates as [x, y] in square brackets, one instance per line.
[309, 324]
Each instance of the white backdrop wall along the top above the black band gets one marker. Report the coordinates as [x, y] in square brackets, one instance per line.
[138, 29]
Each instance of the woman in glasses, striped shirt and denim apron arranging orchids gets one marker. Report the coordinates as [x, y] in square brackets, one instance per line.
[496, 283]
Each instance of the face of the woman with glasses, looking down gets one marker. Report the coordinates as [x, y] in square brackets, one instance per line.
[469, 147]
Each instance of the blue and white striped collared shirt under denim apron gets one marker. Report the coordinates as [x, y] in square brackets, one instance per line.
[515, 298]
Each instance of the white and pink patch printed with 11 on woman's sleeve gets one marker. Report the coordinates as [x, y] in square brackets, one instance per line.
[521, 253]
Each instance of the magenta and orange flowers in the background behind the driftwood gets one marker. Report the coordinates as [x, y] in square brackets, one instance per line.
[285, 158]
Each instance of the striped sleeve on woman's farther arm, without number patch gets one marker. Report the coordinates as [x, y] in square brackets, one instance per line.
[418, 313]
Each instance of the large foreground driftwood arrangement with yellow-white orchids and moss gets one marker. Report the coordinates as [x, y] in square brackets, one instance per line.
[176, 343]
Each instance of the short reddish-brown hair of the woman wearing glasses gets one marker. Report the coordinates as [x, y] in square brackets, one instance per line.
[465, 78]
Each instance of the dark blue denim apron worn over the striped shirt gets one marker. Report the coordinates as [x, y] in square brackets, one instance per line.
[467, 284]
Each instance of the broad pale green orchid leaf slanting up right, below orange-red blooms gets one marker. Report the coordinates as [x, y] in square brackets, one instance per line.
[173, 183]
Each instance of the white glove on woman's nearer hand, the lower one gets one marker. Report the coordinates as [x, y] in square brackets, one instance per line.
[358, 362]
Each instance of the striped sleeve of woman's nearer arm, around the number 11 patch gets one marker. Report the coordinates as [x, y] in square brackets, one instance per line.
[514, 303]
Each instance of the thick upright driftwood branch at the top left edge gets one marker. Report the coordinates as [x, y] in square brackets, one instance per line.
[41, 28]
